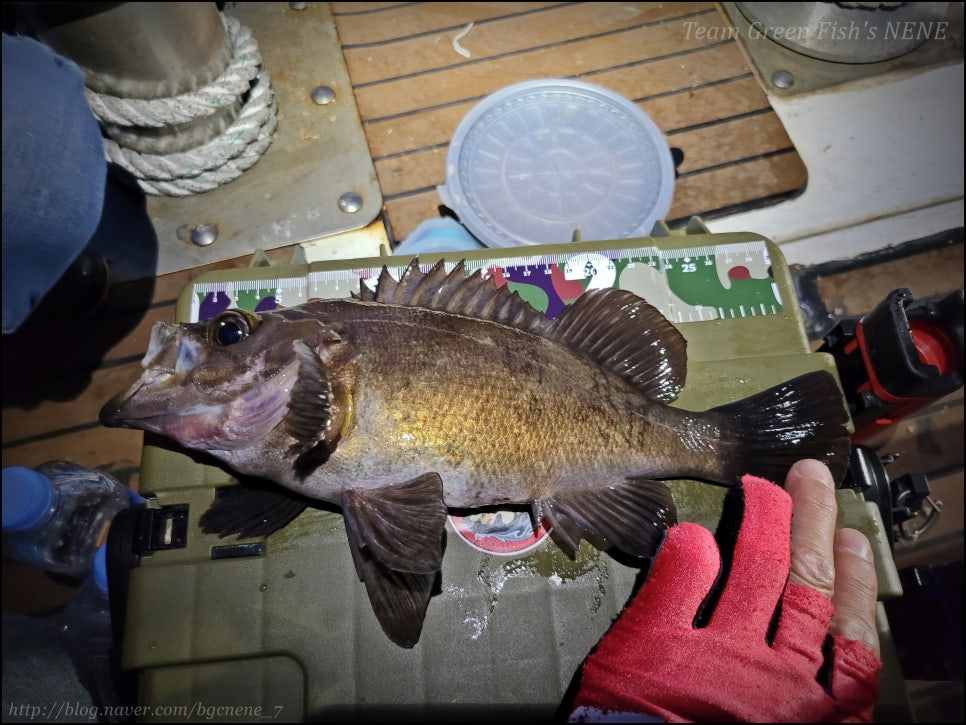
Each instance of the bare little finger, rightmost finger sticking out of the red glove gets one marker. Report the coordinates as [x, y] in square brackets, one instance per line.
[856, 590]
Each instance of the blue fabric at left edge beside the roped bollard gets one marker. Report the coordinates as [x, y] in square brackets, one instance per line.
[54, 173]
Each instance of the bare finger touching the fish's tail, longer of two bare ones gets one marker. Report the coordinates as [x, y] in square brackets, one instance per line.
[810, 485]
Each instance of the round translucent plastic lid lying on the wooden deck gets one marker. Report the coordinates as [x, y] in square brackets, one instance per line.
[540, 160]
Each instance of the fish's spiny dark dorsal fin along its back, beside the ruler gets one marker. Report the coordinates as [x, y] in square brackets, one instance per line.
[615, 328]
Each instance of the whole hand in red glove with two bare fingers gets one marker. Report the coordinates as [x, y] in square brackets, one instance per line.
[759, 647]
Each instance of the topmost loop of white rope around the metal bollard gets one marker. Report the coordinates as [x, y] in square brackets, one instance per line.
[158, 112]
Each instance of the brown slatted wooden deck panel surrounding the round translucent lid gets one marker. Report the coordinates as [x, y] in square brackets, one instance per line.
[413, 88]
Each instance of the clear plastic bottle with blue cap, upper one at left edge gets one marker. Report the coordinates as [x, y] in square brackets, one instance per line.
[56, 516]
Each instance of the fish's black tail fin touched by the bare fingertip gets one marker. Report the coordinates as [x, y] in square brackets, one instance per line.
[804, 417]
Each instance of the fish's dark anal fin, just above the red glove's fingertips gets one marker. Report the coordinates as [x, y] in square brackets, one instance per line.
[631, 515]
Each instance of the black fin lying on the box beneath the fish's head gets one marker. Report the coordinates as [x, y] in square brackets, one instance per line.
[251, 509]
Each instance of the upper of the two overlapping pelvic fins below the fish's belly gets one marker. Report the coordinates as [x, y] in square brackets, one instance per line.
[400, 527]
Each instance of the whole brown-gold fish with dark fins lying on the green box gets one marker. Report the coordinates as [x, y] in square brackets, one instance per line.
[446, 391]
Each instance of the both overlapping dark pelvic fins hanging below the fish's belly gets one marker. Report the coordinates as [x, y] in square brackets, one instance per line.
[396, 538]
